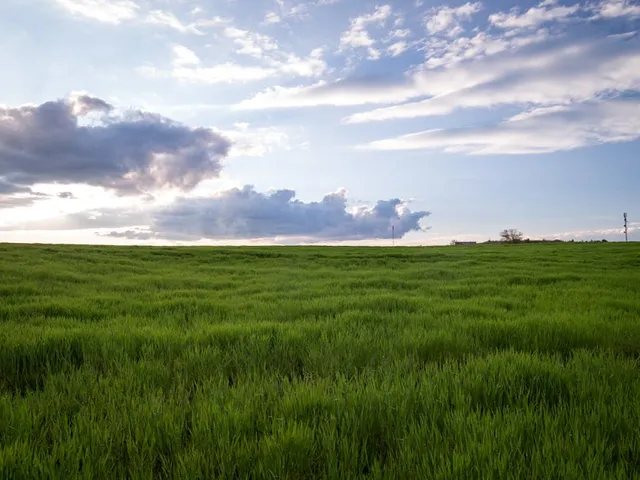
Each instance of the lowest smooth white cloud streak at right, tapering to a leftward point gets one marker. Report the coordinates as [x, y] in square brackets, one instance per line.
[541, 130]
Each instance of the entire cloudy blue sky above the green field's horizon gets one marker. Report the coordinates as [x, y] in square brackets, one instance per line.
[317, 122]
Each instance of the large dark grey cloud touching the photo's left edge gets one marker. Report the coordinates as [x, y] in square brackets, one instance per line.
[131, 152]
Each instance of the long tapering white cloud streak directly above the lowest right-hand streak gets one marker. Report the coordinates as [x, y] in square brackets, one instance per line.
[553, 73]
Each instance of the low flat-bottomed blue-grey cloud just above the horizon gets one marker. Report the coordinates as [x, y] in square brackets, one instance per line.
[248, 214]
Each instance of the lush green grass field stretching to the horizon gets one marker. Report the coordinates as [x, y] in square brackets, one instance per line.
[320, 362]
